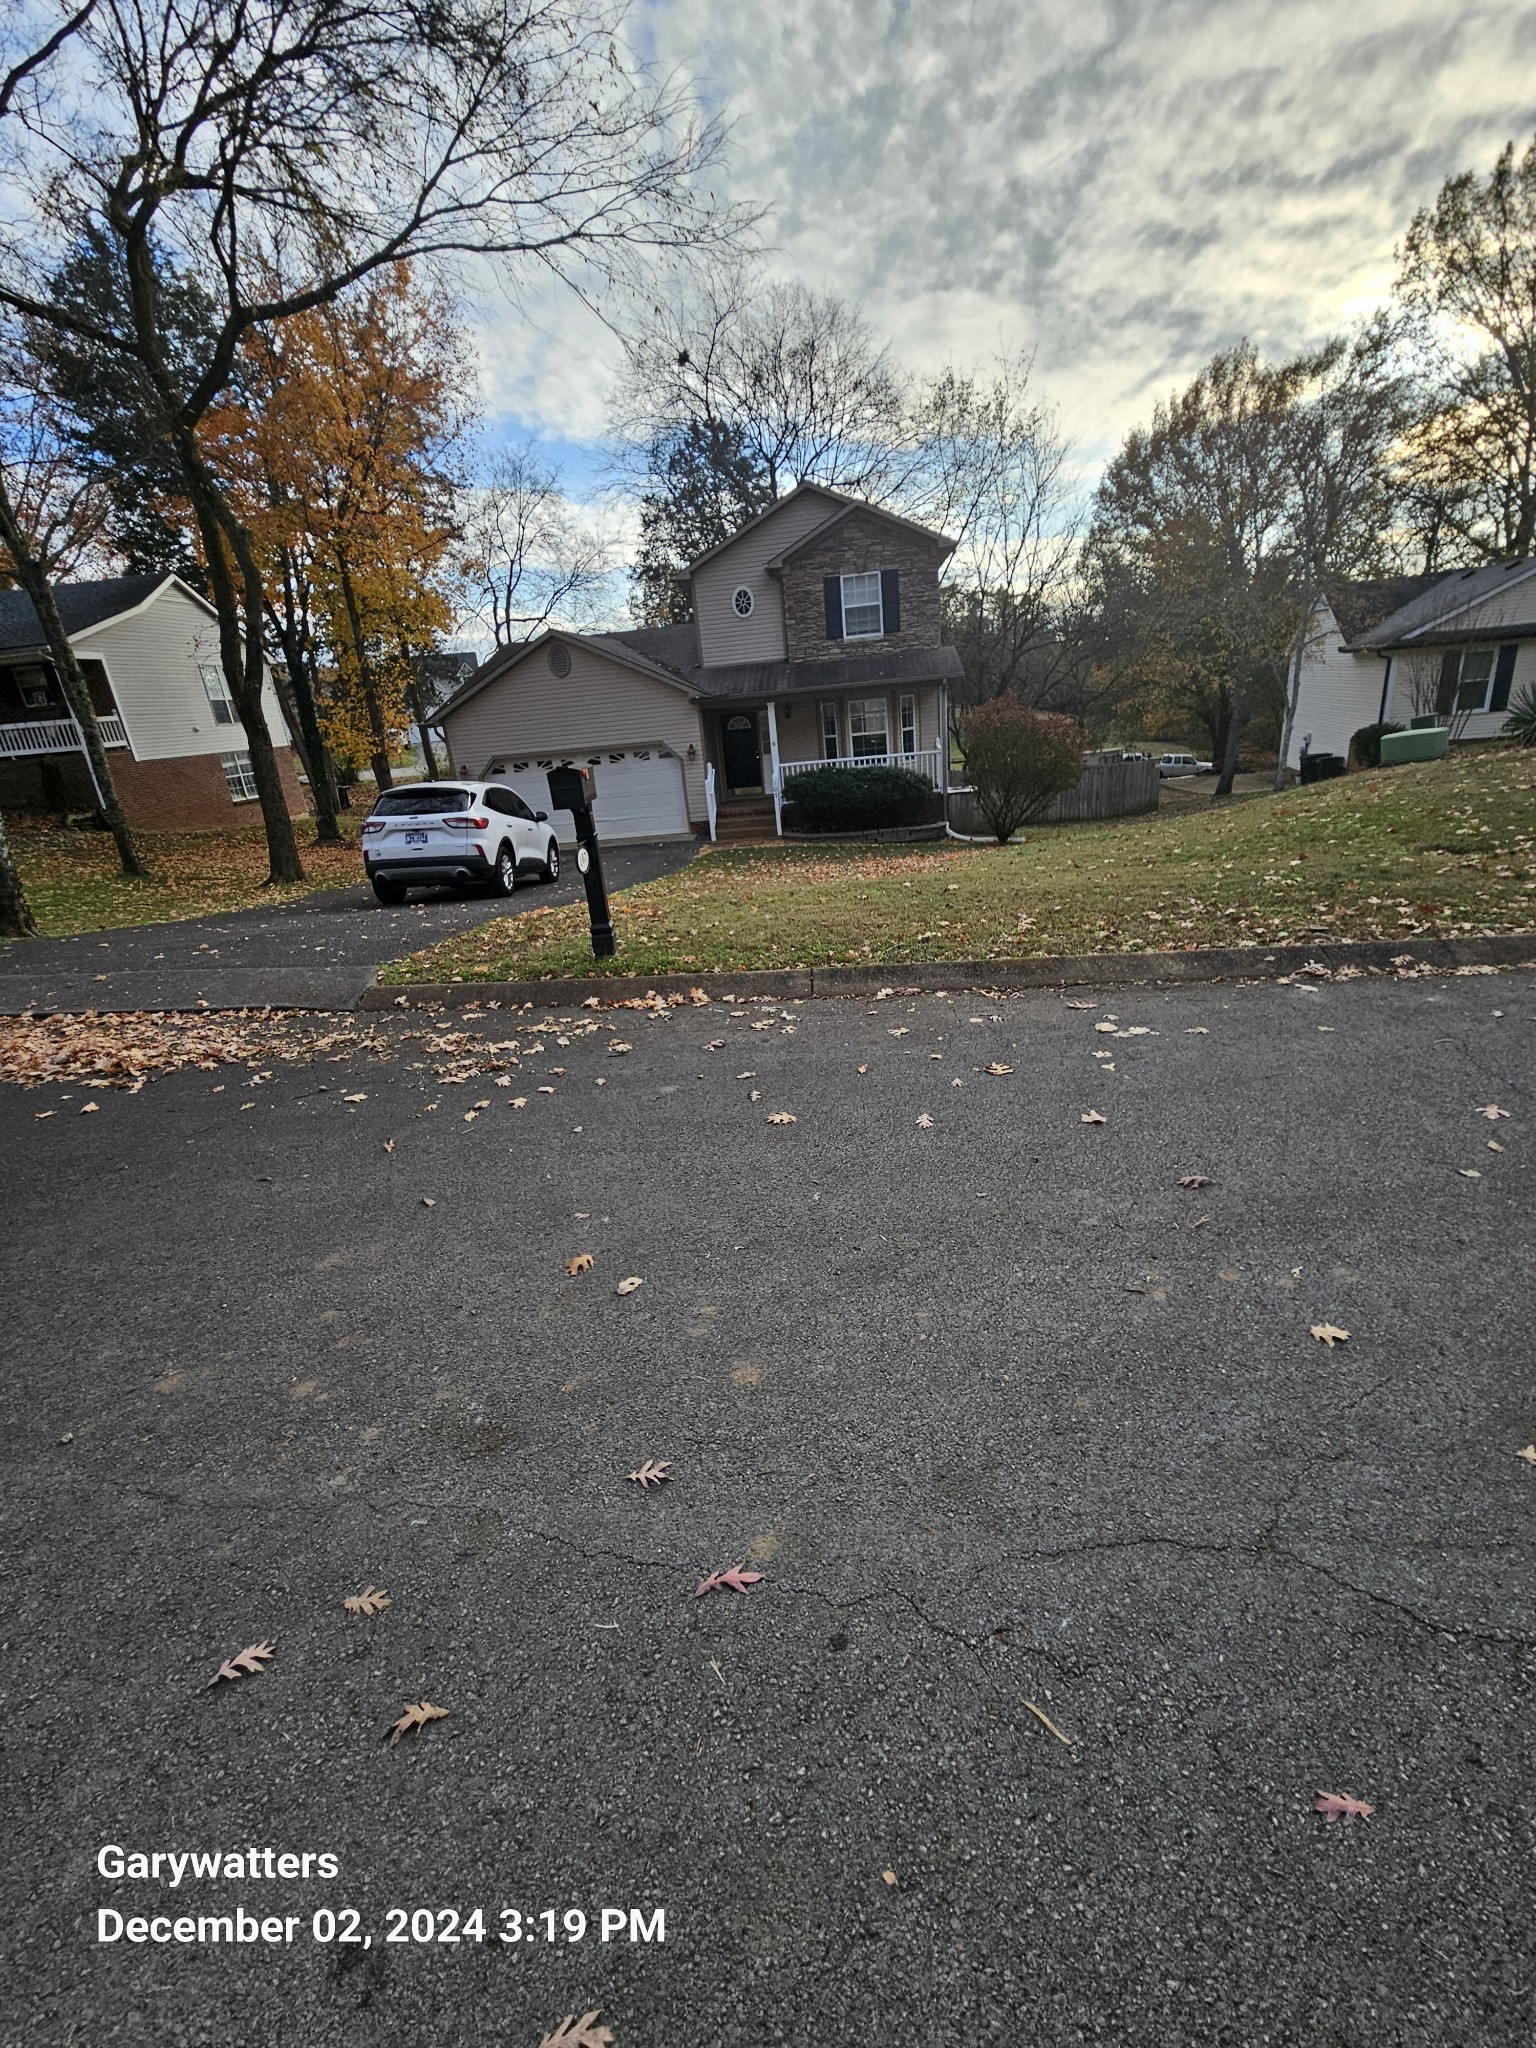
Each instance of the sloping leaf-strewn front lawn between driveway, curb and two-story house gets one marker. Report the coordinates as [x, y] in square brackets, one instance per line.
[1439, 849]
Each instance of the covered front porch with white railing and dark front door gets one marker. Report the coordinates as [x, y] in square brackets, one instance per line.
[757, 749]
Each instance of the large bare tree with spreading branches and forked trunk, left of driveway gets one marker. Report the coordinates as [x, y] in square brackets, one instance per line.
[288, 153]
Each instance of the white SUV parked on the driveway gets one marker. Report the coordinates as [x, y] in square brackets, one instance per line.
[460, 835]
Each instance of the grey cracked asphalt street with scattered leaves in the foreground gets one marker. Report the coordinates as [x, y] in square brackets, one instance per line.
[1084, 1566]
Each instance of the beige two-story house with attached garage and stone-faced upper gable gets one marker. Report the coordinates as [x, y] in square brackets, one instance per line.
[814, 638]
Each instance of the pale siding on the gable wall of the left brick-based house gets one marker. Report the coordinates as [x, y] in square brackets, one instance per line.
[153, 663]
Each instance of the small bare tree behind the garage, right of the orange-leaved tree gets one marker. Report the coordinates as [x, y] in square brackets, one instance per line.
[527, 556]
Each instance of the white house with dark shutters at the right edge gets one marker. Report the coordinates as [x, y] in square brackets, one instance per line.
[1455, 646]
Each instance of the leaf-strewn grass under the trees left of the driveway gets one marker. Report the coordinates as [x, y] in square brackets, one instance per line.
[75, 884]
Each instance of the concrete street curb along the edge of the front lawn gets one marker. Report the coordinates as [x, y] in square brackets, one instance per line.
[1091, 970]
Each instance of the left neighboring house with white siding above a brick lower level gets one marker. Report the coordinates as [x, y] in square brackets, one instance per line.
[151, 652]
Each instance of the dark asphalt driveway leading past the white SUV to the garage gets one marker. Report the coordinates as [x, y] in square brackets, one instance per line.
[316, 951]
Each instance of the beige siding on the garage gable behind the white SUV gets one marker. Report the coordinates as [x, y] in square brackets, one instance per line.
[527, 710]
